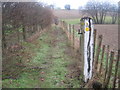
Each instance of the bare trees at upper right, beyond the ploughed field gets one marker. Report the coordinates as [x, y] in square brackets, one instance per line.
[99, 10]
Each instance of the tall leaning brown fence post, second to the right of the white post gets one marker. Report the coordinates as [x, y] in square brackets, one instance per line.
[98, 51]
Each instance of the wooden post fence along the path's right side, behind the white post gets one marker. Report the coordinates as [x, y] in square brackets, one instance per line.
[106, 62]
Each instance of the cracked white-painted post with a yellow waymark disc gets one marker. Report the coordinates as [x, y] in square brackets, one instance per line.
[88, 47]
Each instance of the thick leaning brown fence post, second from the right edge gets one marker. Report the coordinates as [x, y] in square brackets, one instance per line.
[109, 70]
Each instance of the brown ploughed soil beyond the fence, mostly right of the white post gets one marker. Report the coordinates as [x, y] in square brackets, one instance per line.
[109, 32]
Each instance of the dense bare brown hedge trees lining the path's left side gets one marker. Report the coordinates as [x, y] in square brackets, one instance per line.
[24, 14]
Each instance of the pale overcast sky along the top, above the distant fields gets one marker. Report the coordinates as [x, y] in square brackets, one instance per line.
[74, 3]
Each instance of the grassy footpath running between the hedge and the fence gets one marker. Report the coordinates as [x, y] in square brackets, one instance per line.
[48, 68]
